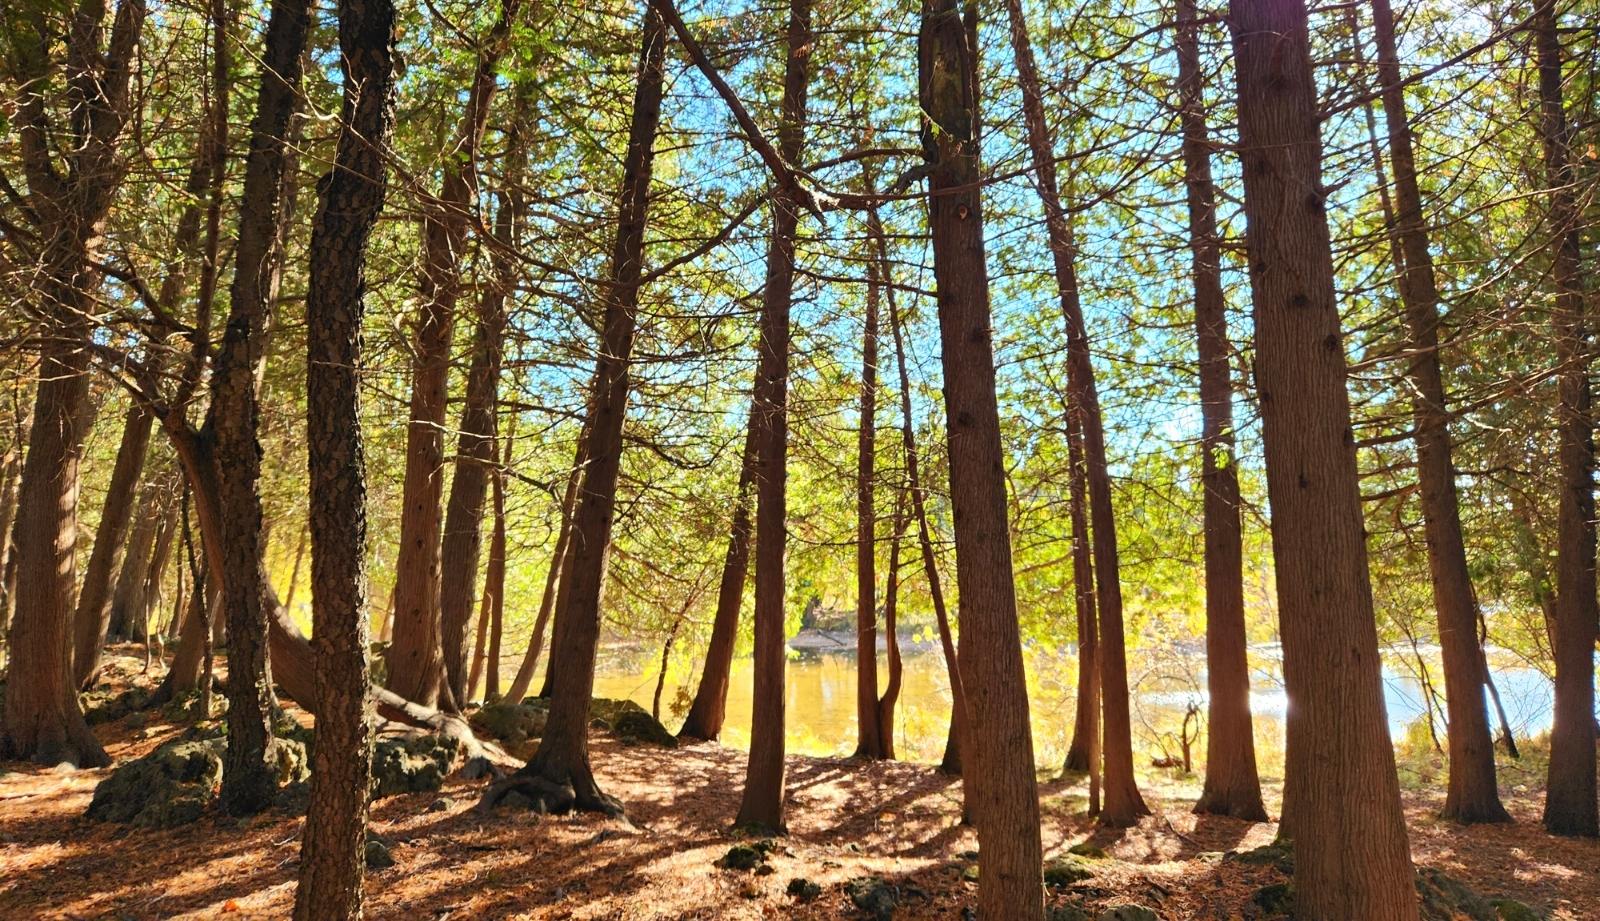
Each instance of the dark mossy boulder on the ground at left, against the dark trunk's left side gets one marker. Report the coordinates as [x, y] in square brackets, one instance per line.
[169, 787]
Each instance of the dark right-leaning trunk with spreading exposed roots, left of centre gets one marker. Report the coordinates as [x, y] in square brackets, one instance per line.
[562, 760]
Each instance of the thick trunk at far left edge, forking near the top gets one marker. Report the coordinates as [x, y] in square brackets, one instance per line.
[42, 717]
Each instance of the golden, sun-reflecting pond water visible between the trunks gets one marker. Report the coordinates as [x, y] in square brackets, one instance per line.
[822, 698]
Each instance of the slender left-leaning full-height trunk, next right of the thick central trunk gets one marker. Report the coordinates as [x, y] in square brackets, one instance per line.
[1124, 803]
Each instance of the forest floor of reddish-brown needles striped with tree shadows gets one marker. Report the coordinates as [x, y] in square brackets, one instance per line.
[847, 819]
